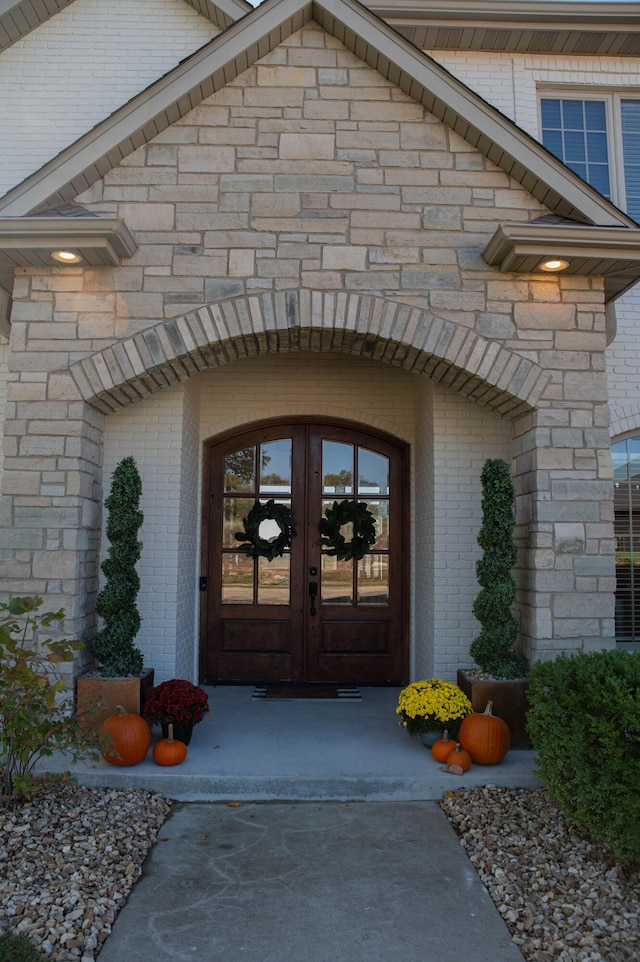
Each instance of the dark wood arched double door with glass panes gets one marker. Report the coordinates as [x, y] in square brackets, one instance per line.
[304, 616]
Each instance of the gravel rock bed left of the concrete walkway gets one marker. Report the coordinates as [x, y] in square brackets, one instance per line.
[68, 861]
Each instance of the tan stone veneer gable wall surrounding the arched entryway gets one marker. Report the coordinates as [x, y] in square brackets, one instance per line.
[313, 206]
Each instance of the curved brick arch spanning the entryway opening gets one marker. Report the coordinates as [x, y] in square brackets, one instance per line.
[365, 325]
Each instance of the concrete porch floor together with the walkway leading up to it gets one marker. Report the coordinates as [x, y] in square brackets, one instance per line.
[368, 869]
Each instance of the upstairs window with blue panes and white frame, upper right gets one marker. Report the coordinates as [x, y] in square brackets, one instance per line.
[599, 139]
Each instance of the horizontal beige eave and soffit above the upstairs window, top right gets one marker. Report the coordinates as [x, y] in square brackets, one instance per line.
[501, 26]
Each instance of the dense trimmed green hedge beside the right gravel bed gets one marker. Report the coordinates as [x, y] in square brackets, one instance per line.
[584, 724]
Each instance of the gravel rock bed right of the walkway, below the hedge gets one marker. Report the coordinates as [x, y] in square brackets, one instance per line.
[564, 898]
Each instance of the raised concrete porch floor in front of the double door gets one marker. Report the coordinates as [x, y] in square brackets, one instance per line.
[308, 750]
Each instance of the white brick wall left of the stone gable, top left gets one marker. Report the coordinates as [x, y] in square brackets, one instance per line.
[80, 66]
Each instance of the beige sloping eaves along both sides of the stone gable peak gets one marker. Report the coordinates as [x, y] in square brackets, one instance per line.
[226, 56]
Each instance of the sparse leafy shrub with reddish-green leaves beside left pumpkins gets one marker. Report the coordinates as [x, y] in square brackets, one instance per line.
[34, 717]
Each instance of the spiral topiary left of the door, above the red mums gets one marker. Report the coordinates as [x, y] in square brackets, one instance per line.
[116, 604]
